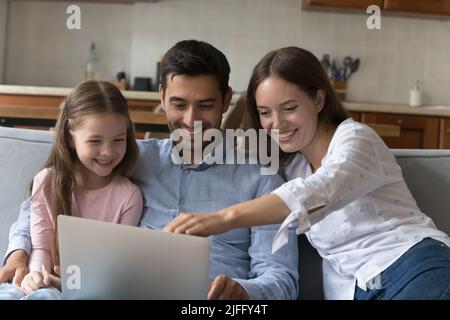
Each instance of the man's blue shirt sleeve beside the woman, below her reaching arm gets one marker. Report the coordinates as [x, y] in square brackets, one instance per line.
[271, 276]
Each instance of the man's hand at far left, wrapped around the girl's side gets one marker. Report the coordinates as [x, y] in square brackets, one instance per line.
[15, 268]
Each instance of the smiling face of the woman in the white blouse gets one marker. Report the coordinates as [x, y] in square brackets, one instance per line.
[282, 105]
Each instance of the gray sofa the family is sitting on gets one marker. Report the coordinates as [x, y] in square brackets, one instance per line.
[22, 152]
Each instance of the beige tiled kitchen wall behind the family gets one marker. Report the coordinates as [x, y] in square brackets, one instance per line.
[133, 37]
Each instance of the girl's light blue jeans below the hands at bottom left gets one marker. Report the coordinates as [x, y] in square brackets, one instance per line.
[9, 291]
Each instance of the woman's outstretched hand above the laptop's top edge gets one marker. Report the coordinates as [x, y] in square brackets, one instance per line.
[203, 224]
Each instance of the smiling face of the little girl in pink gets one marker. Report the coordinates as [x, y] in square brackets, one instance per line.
[100, 141]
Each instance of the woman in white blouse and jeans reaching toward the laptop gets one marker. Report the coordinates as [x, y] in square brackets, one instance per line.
[345, 191]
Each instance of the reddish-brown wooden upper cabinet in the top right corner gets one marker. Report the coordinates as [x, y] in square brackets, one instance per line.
[418, 6]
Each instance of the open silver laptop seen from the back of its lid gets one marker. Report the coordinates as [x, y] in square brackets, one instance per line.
[101, 260]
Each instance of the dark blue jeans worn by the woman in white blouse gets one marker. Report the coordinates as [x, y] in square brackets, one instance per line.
[421, 273]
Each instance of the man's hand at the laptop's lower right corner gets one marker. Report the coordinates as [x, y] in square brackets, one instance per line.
[225, 288]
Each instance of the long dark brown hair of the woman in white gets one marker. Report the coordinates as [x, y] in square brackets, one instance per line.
[300, 67]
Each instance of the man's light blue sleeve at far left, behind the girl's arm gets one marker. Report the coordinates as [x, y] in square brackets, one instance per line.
[19, 233]
